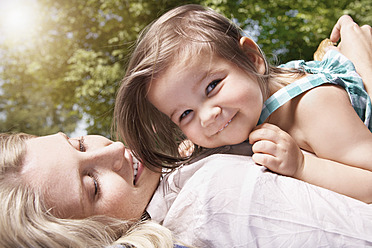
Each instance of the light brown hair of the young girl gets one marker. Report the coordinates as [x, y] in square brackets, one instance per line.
[187, 30]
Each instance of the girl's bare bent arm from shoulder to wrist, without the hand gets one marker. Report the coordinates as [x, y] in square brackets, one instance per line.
[335, 132]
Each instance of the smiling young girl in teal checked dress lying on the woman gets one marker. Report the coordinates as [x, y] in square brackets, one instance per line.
[193, 75]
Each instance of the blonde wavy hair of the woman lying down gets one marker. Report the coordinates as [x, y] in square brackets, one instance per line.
[25, 221]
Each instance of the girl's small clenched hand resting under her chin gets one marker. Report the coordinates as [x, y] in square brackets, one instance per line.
[276, 150]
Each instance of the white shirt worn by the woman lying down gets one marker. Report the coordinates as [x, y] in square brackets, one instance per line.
[228, 201]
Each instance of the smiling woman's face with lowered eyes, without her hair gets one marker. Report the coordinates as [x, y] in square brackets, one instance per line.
[88, 176]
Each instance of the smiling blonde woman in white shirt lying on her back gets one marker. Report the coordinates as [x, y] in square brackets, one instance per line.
[54, 191]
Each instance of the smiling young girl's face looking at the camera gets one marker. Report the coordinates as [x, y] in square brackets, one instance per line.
[213, 101]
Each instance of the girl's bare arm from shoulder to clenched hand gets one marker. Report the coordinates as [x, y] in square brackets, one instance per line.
[327, 125]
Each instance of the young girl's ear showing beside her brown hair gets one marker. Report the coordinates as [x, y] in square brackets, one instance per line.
[252, 52]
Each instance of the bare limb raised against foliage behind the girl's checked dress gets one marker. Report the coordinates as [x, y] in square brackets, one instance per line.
[356, 45]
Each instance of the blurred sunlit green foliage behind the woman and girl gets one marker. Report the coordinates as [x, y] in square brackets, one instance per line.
[64, 63]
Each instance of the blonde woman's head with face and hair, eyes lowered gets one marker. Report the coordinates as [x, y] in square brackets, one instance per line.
[45, 177]
